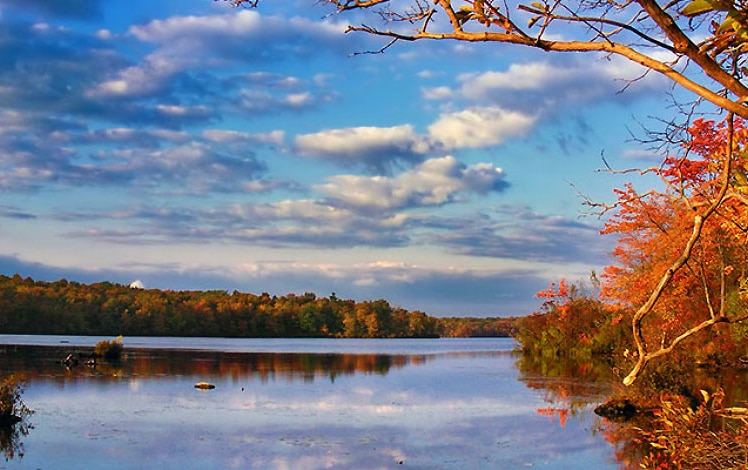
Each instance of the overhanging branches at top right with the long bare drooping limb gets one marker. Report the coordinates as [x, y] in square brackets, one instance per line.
[700, 45]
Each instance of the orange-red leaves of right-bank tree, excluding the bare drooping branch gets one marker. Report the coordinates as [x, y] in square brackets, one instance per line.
[653, 229]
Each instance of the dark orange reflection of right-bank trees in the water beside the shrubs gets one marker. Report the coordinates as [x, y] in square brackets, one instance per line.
[572, 386]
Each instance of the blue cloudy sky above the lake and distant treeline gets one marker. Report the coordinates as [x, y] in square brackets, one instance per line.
[191, 145]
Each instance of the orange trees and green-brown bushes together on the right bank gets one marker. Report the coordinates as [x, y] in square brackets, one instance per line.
[700, 317]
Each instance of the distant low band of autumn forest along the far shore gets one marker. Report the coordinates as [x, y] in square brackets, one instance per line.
[107, 309]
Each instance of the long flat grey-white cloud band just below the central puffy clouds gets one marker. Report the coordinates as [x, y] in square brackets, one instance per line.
[287, 223]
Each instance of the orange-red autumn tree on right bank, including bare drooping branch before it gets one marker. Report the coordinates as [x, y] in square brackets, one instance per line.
[682, 252]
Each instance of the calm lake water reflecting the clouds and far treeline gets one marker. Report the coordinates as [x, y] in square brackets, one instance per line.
[301, 404]
